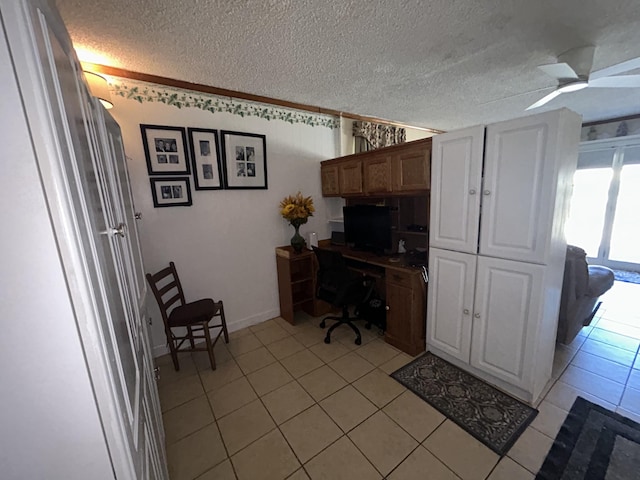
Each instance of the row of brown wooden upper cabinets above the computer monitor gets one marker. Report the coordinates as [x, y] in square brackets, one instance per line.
[398, 169]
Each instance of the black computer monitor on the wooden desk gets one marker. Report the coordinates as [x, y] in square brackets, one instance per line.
[368, 227]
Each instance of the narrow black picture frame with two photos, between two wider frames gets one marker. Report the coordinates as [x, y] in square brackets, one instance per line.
[205, 158]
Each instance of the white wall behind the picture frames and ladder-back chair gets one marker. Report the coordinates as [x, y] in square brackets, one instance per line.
[224, 244]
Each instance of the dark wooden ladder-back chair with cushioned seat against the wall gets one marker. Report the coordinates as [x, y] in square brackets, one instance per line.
[194, 317]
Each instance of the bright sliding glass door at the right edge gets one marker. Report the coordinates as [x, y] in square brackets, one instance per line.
[605, 207]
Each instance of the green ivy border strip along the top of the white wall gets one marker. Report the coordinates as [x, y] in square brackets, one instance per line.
[145, 92]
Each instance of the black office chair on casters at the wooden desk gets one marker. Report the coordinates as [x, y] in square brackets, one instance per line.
[340, 287]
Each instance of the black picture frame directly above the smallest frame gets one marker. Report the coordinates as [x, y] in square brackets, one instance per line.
[165, 149]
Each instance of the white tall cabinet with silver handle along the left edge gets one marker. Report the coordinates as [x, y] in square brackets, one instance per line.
[79, 397]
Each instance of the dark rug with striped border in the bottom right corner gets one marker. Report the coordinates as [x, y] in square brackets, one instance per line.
[594, 443]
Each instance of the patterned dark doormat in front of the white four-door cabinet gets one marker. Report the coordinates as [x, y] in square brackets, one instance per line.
[493, 417]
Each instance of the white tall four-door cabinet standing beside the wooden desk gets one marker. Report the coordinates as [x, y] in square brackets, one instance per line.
[499, 200]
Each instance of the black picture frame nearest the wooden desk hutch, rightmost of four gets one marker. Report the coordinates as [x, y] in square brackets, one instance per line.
[245, 160]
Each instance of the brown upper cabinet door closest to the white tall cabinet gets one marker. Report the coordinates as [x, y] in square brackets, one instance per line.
[412, 169]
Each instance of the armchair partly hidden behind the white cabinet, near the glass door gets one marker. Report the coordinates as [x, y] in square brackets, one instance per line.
[582, 287]
